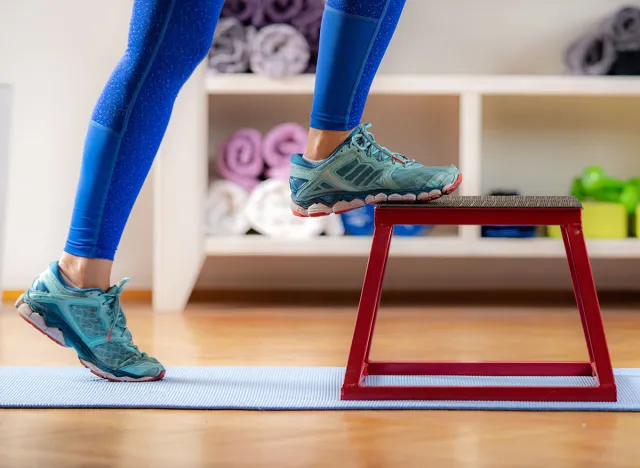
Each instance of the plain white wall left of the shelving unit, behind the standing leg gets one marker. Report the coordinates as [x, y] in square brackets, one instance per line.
[58, 55]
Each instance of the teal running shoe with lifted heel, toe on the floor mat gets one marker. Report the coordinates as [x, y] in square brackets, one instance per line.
[92, 322]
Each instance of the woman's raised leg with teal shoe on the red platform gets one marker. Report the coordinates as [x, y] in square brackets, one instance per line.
[343, 167]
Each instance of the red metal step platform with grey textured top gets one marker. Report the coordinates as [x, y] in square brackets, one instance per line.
[565, 212]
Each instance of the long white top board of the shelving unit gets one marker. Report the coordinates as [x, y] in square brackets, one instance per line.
[436, 85]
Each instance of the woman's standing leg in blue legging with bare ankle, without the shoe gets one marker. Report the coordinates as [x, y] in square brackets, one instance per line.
[168, 39]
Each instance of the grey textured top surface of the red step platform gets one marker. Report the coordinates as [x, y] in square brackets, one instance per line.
[493, 202]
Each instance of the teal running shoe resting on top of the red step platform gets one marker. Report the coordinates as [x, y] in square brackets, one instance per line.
[362, 172]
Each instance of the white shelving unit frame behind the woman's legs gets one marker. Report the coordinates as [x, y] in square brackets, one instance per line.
[180, 185]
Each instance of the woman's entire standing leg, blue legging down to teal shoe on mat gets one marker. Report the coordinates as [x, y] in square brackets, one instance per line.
[72, 301]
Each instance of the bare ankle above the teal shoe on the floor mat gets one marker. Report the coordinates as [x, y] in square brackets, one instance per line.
[86, 273]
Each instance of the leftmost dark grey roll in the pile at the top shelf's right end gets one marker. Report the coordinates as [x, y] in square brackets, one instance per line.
[594, 55]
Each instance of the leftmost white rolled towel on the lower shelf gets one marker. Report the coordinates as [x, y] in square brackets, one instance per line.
[225, 209]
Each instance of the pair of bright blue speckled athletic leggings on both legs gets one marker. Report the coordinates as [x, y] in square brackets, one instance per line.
[167, 41]
